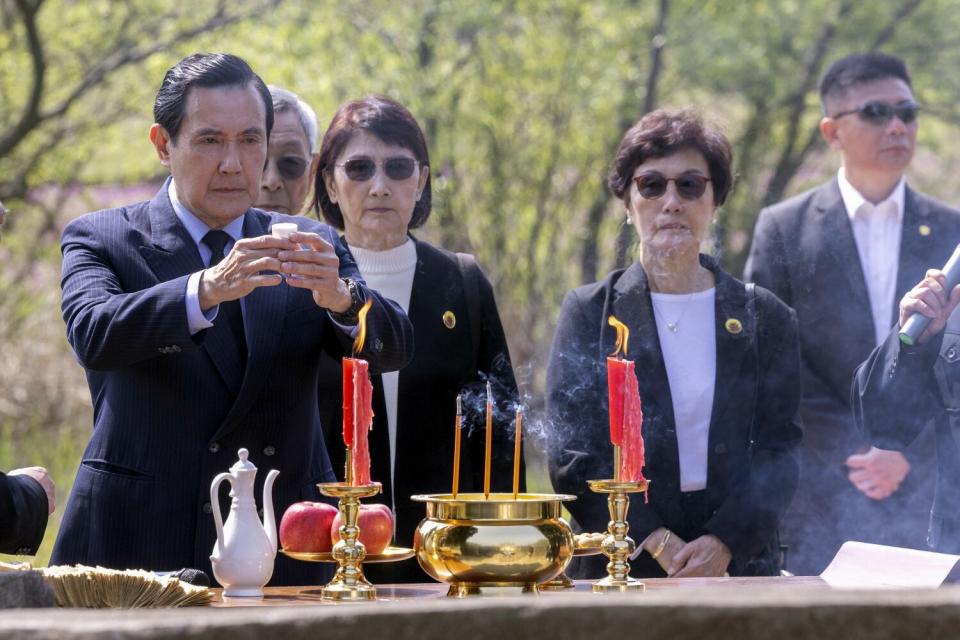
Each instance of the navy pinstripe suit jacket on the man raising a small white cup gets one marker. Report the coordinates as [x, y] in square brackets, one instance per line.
[171, 409]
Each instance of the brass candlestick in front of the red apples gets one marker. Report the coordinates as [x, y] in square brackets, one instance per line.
[349, 584]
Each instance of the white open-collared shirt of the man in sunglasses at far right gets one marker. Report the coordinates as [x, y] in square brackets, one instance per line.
[876, 230]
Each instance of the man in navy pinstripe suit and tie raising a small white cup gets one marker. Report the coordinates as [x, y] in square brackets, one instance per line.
[201, 334]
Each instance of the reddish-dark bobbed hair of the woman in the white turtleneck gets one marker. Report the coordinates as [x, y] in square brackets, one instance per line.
[390, 122]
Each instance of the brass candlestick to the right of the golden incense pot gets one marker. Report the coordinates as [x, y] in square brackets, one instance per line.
[617, 546]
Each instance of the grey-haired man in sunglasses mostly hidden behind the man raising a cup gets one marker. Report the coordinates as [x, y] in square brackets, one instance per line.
[291, 155]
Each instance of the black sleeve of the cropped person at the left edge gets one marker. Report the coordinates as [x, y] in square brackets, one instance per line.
[23, 514]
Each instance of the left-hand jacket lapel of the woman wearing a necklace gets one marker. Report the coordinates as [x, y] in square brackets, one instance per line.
[632, 306]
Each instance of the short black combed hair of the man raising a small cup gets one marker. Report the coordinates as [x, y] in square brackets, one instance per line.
[208, 70]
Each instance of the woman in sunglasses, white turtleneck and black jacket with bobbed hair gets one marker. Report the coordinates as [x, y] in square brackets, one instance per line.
[374, 183]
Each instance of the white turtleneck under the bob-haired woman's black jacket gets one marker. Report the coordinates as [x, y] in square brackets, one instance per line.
[390, 273]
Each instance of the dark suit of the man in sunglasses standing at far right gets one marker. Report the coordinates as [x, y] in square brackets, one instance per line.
[804, 251]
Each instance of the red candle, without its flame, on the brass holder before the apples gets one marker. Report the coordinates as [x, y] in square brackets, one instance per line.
[357, 418]
